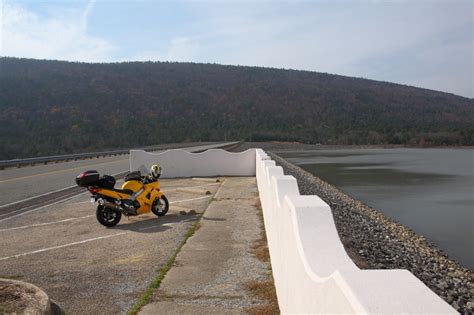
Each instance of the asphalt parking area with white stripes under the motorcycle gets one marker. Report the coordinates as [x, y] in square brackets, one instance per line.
[90, 269]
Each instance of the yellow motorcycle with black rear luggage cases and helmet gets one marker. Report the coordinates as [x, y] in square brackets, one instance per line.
[138, 195]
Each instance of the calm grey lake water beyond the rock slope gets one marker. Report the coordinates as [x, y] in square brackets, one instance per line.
[431, 191]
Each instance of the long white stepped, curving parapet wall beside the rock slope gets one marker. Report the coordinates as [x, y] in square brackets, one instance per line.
[312, 272]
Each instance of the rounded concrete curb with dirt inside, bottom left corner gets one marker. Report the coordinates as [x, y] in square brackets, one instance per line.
[25, 298]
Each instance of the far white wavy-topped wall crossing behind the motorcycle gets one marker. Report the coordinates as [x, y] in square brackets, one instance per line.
[180, 163]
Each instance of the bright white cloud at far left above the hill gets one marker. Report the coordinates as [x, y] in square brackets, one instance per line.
[62, 36]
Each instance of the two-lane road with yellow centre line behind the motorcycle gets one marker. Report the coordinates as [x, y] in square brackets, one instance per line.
[17, 184]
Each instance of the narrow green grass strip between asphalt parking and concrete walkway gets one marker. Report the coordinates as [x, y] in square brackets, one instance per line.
[156, 282]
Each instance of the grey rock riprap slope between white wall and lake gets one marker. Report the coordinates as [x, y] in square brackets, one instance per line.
[376, 242]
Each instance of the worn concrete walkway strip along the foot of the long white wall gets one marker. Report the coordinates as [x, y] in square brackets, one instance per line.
[213, 271]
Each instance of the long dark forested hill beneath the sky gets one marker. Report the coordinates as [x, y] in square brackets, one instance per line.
[54, 107]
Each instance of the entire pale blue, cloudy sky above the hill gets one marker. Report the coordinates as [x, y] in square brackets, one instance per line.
[424, 43]
